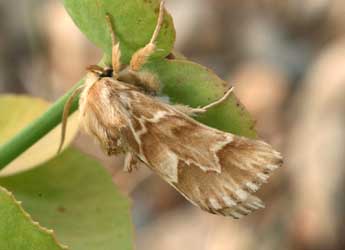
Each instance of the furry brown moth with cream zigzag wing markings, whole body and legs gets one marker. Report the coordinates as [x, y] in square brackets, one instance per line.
[216, 171]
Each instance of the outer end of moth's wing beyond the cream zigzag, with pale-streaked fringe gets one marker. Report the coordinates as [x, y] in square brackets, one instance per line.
[246, 165]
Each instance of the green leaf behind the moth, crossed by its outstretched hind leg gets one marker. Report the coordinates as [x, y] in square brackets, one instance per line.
[194, 85]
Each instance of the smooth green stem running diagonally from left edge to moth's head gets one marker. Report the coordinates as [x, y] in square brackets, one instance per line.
[35, 130]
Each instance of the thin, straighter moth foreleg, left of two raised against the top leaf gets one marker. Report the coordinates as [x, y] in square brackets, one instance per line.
[115, 53]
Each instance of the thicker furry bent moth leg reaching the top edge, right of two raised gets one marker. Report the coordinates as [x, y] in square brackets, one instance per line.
[140, 57]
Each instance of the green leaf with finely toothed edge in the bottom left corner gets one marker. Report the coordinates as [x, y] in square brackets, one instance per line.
[18, 231]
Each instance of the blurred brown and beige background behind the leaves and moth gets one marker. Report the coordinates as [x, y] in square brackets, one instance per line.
[287, 62]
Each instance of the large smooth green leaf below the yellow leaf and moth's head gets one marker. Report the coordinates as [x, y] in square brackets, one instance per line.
[75, 196]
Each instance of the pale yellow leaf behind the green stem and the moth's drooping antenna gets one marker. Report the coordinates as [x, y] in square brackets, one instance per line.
[16, 112]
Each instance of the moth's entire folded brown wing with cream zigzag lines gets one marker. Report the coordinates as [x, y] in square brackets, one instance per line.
[216, 171]
